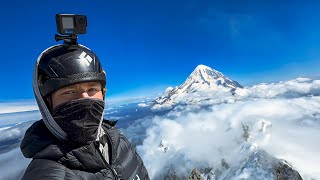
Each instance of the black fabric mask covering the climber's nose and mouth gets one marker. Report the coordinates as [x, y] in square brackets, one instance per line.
[80, 119]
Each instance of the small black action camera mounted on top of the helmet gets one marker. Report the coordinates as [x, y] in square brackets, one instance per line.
[71, 24]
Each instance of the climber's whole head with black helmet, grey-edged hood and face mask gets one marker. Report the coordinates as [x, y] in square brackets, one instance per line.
[69, 85]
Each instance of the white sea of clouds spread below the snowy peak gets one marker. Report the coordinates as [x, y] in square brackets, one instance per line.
[282, 118]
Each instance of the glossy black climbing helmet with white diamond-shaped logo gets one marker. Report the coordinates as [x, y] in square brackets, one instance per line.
[64, 65]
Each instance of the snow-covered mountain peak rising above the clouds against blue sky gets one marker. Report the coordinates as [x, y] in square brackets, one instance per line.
[201, 83]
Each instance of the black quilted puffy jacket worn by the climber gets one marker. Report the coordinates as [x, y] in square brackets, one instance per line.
[54, 160]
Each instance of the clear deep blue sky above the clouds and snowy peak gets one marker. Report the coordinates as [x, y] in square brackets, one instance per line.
[148, 45]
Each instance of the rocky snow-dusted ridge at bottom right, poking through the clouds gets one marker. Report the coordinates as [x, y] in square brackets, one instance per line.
[257, 165]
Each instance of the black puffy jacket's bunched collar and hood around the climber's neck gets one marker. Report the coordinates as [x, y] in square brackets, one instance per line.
[39, 143]
